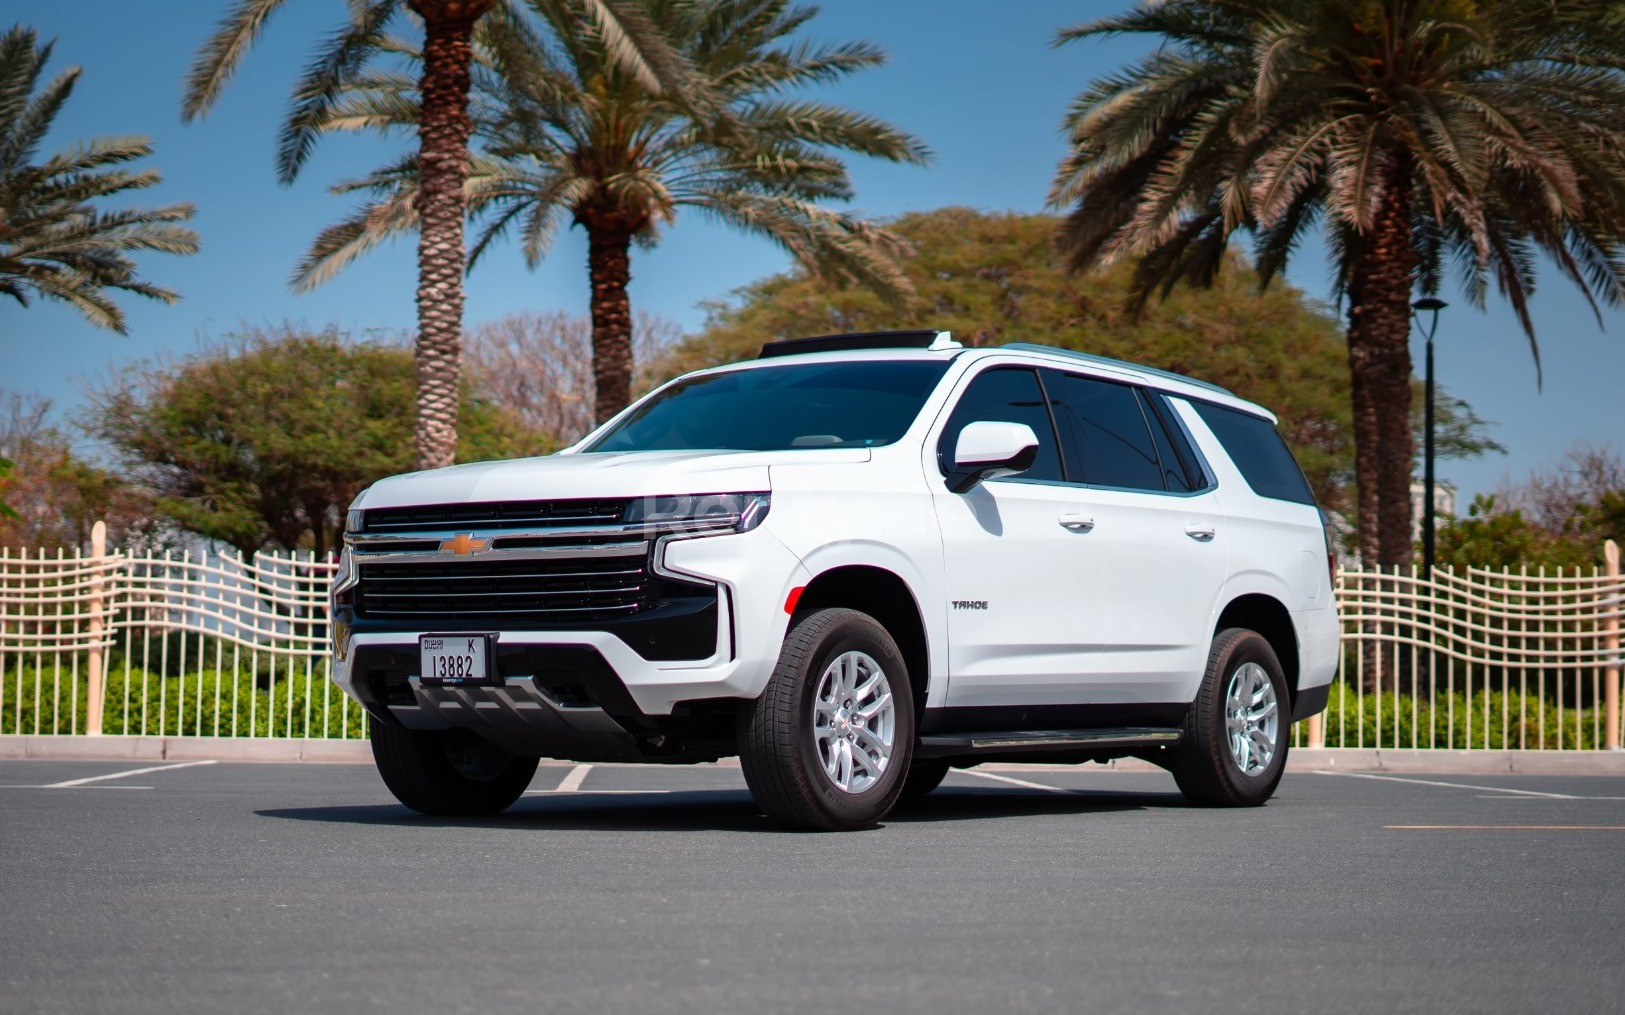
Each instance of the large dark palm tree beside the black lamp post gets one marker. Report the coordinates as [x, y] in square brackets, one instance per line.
[1419, 136]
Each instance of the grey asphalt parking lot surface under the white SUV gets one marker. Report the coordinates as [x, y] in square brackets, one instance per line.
[201, 888]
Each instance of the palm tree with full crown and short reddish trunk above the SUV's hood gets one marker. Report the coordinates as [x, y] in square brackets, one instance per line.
[568, 132]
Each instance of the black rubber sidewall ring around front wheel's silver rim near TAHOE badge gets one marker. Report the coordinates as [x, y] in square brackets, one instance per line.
[856, 633]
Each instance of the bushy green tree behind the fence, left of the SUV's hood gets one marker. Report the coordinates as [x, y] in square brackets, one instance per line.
[269, 438]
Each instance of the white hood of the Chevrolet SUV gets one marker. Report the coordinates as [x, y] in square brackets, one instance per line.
[597, 477]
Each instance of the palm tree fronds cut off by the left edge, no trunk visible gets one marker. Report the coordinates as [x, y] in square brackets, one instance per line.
[54, 243]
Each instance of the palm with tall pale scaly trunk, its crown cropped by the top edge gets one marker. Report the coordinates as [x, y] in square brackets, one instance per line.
[443, 127]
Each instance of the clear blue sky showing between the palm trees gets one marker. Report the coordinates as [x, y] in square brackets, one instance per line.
[979, 82]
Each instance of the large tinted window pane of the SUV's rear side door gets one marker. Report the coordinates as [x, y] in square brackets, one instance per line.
[1104, 433]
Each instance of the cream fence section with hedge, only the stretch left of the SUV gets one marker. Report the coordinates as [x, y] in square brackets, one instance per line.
[168, 646]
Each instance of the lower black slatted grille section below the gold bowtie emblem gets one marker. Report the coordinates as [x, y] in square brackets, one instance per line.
[576, 590]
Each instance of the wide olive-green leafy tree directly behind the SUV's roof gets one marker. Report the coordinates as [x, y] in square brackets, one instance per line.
[997, 279]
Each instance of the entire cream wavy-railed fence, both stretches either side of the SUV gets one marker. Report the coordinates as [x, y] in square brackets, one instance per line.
[215, 646]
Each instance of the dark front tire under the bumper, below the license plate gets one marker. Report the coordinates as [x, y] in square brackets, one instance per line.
[449, 774]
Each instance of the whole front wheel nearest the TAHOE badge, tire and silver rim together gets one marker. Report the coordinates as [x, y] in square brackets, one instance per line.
[818, 759]
